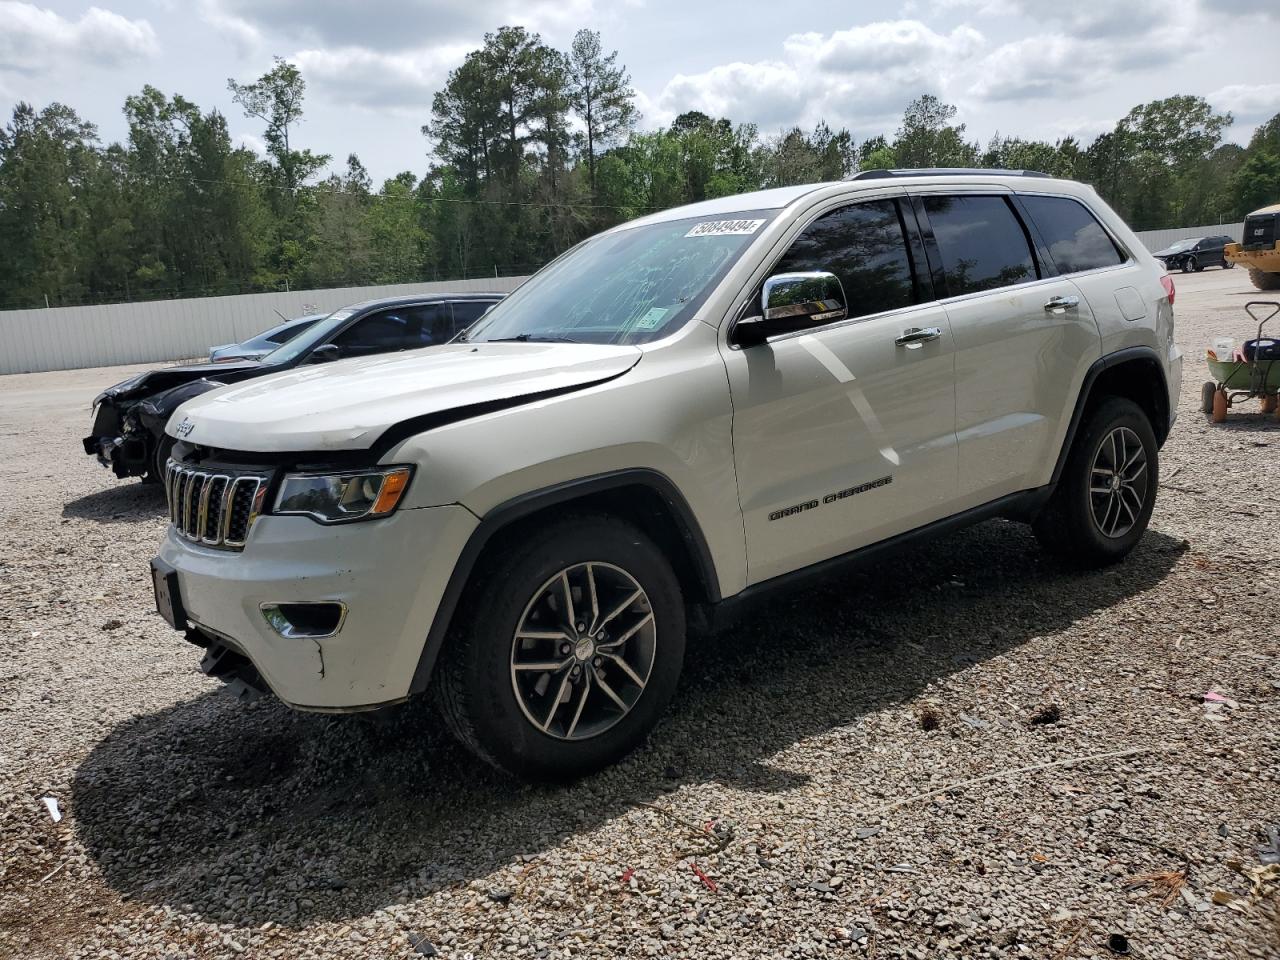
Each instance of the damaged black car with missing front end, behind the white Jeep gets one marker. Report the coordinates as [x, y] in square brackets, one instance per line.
[130, 418]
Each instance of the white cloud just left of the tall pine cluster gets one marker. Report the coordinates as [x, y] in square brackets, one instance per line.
[363, 77]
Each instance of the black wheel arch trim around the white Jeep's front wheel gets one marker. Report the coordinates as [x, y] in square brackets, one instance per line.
[502, 516]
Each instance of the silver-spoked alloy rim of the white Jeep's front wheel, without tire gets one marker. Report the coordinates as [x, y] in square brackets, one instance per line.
[583, 651]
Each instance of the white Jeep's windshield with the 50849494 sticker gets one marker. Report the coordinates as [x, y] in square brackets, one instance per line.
[634, 286]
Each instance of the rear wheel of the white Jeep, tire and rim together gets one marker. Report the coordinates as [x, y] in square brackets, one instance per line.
[1108, 490]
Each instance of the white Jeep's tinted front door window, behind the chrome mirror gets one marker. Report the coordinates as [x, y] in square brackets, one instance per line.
[865, 245]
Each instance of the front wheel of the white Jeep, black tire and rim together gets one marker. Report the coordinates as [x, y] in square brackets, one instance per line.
[568, 652]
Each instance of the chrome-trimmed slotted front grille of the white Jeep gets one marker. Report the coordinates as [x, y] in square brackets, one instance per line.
[214, 508]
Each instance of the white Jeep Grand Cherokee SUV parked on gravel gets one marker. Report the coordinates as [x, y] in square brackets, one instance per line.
[675, 417]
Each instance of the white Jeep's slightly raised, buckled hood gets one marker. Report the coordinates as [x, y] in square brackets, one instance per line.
[350, 404]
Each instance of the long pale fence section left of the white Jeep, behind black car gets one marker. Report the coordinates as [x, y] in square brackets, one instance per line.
[67, 339]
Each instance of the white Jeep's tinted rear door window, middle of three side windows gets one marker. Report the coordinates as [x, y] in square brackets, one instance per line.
[982, 244]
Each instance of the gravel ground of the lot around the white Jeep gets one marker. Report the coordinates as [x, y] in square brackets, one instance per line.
[775, 813]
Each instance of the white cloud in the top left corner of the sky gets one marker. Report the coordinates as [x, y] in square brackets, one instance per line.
[35, 40]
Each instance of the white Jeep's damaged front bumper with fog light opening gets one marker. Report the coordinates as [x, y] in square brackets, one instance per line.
[387, 577]
